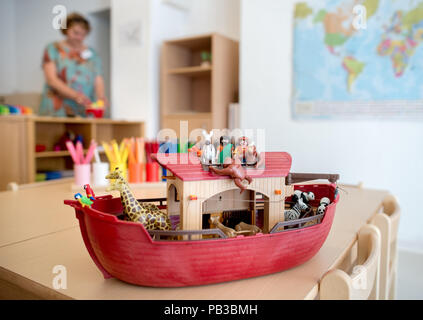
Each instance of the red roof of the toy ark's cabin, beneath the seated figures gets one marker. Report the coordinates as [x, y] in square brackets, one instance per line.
[187, 167]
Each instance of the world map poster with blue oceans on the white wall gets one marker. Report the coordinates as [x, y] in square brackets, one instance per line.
[358, 59]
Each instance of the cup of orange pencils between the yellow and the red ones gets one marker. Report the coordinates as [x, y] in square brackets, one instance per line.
[135, 159]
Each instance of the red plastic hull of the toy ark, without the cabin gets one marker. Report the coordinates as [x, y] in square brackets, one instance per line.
[125, 250]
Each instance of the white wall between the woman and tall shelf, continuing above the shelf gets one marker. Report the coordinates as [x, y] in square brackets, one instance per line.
[136, 70]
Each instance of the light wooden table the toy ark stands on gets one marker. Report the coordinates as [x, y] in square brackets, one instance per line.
[38, 232]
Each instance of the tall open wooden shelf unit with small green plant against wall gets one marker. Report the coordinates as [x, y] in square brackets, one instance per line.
[198, 94]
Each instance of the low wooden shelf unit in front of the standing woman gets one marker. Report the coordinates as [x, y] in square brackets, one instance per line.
[21, 134]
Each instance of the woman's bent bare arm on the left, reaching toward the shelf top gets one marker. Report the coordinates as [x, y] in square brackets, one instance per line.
[61, 87]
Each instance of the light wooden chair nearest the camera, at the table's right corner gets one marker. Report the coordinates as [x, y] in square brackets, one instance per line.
[363, 282]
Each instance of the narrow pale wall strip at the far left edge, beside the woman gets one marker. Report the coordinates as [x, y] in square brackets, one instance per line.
[8, 47]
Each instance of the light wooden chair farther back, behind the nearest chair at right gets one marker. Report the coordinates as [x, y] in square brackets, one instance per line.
[387, 221]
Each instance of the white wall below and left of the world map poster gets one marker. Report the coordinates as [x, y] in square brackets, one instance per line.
[382, 154]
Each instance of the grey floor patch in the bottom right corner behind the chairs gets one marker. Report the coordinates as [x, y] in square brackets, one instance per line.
[410, 275]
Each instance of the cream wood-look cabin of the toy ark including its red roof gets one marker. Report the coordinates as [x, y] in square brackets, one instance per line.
[193, 192]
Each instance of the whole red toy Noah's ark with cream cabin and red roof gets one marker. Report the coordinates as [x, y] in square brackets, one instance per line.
[195, 253]
